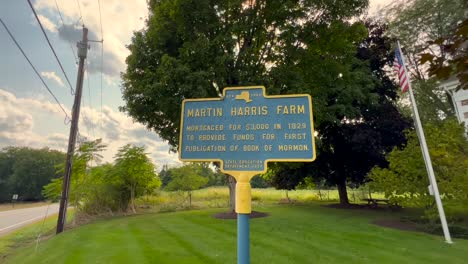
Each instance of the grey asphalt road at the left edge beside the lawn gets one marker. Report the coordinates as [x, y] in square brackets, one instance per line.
[15, 219]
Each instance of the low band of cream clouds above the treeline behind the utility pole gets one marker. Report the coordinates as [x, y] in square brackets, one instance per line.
[19, 116]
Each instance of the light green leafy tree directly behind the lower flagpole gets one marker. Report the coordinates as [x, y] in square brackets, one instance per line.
[405, 181]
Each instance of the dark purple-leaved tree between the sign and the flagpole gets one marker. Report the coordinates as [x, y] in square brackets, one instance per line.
[350, 148]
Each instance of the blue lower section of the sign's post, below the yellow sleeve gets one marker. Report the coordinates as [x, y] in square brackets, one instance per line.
[243, 239]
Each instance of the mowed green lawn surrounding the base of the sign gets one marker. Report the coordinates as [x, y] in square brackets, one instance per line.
[291, 234]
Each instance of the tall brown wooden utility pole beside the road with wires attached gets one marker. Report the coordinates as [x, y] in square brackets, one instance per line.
[82, 52]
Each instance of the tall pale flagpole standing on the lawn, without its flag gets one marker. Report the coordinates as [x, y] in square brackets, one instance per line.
[427, 157]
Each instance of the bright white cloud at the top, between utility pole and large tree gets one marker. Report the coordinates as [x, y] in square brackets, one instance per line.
[119, 20]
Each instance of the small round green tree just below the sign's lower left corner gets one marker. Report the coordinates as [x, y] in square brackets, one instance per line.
[187, 178]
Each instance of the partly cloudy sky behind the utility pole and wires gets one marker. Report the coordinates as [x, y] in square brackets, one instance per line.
[29, 116]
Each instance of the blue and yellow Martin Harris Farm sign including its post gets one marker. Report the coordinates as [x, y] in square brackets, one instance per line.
[243, 131]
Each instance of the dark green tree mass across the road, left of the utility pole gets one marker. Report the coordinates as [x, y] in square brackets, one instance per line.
[24, 171]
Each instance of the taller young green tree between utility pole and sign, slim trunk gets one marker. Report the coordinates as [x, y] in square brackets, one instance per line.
[136, 172]
